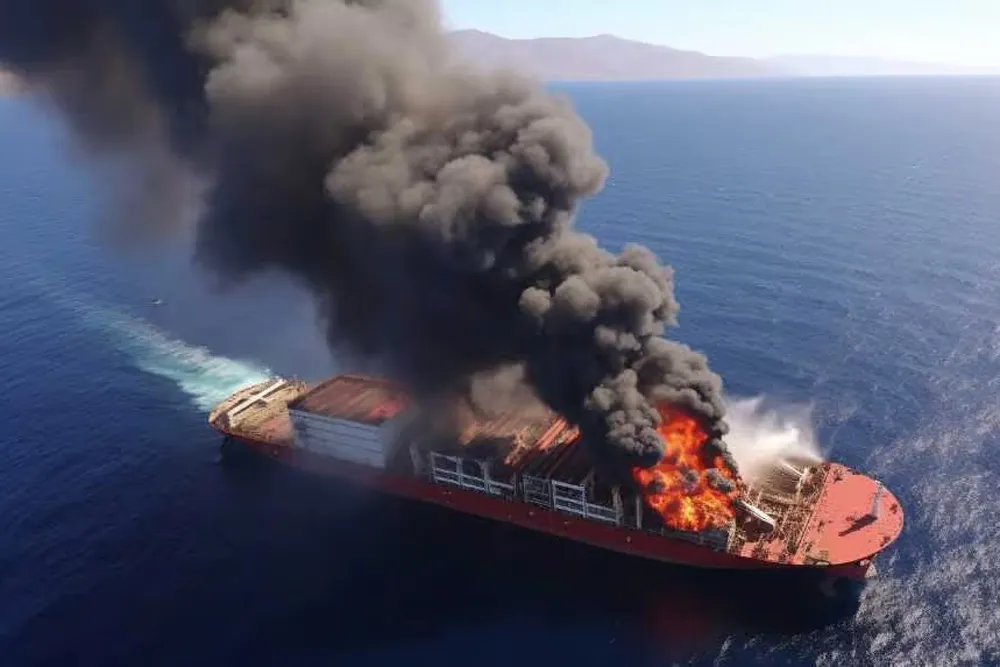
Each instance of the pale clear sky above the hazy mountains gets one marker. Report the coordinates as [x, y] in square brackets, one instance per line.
[961, 32]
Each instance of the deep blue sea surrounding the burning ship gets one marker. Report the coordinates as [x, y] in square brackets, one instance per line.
[835, 242]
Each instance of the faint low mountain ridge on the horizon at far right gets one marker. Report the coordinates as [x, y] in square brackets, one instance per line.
[809, 65]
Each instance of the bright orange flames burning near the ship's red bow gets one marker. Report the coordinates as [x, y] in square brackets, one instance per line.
[678, 487]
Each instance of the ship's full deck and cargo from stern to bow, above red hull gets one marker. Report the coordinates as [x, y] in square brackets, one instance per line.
[801, 516]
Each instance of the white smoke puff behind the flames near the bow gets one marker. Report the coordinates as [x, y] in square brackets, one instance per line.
[762, 437]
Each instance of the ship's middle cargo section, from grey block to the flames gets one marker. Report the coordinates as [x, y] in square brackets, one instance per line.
[532, 456]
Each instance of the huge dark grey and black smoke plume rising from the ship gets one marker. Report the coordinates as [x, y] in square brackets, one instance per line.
[427, 207]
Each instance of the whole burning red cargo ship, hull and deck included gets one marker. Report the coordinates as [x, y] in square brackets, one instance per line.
[531, 469]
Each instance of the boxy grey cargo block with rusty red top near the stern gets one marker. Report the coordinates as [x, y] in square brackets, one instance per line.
[350, 419]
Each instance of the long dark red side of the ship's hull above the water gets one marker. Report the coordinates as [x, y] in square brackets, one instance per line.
[627, 541]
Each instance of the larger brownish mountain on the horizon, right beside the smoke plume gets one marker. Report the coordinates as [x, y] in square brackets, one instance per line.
[603, 57]
